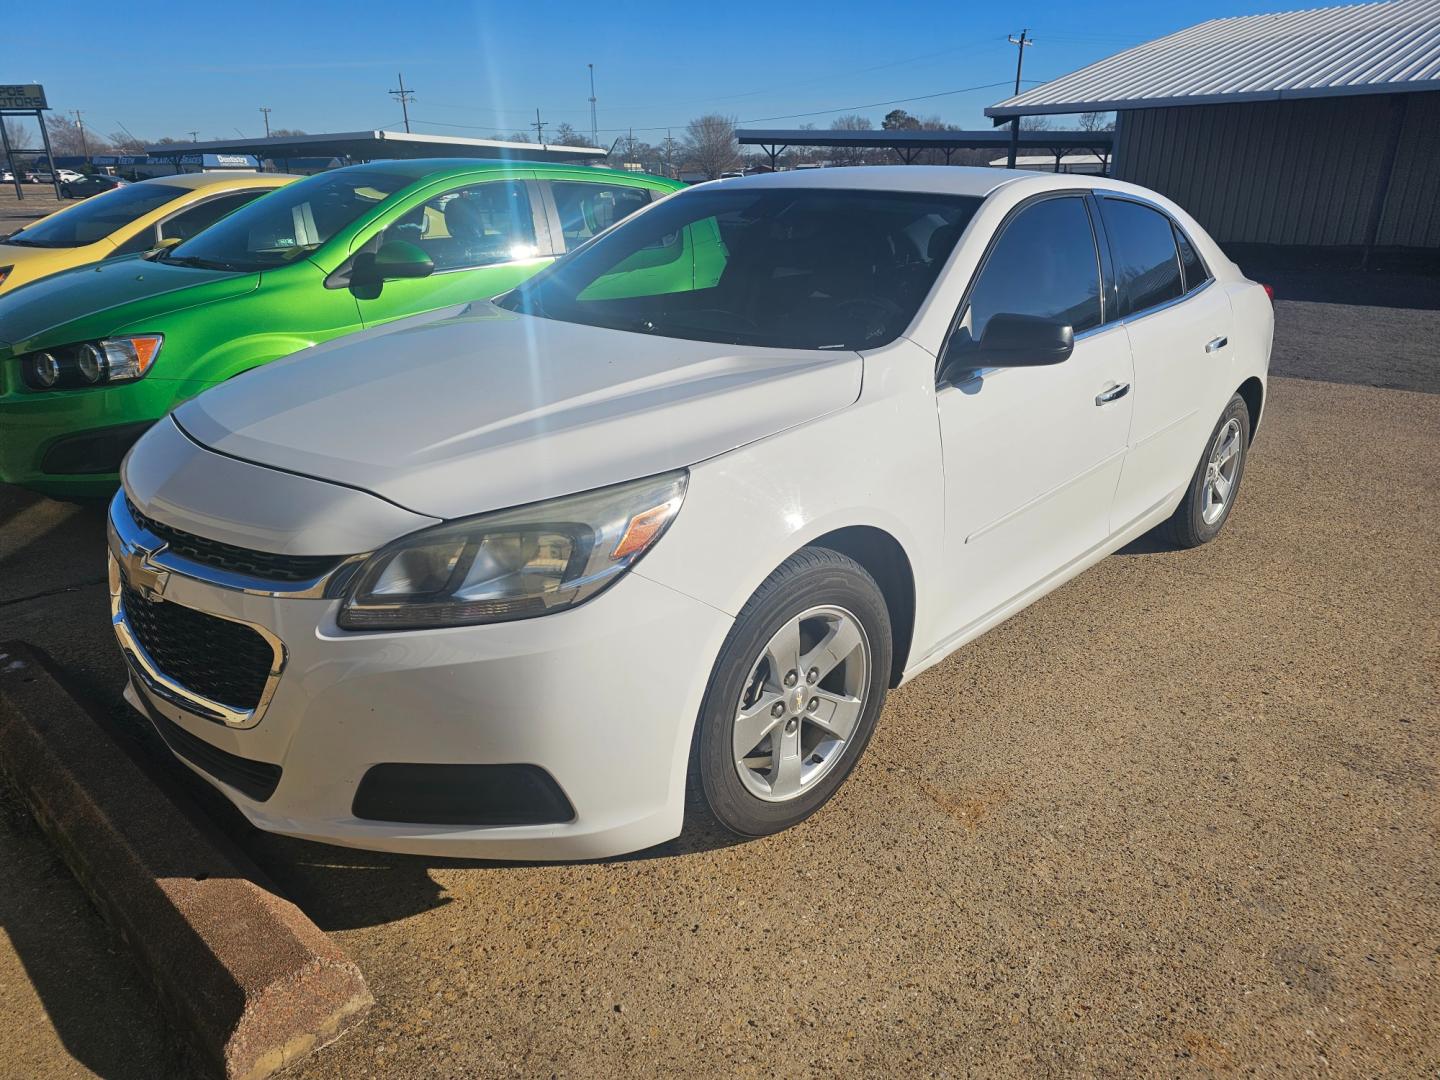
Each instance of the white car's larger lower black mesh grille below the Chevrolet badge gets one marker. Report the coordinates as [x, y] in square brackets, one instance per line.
[221, 660]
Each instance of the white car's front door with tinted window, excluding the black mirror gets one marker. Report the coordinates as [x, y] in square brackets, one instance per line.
[1033, 454]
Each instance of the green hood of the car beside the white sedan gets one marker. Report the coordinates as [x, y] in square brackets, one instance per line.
[112, 296]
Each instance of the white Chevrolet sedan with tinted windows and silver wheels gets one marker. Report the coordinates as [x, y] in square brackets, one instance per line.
[670, 519]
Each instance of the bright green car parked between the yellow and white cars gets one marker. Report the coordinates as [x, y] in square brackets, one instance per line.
[94, 356]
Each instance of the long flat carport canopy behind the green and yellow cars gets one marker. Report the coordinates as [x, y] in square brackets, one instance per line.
[375, 146]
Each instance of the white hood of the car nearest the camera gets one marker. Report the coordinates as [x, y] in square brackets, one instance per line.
[477, 408]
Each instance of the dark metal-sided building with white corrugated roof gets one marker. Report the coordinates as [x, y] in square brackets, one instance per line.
[1318, 129]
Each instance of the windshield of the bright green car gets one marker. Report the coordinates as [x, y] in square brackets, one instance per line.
[290, 222]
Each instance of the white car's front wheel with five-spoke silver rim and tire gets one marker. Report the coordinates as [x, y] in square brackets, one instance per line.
[794, 695]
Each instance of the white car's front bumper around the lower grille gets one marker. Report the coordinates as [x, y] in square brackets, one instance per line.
[601, 698]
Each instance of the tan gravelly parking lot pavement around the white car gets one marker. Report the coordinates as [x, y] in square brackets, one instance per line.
[1182, 814]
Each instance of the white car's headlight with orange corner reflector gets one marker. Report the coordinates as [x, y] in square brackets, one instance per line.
[513, 564]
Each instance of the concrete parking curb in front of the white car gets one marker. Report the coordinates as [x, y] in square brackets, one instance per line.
[247, 978]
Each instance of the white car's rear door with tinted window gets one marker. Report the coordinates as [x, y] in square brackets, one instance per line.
[1179, 328]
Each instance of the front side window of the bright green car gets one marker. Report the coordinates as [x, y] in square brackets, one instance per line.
[479, 225]
